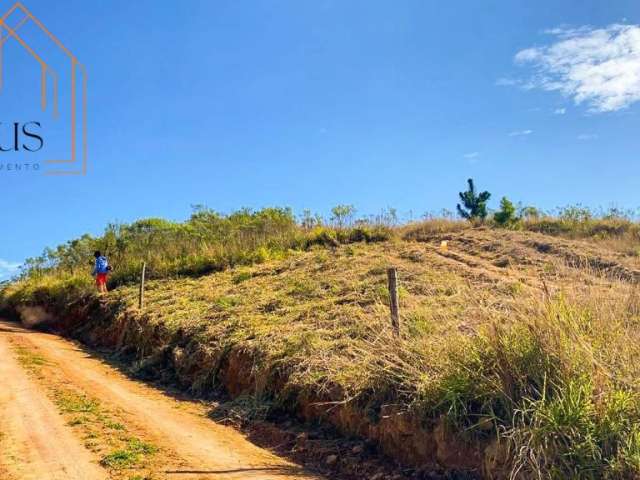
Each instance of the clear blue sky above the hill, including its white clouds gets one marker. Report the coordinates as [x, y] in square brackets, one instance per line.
[309, 104]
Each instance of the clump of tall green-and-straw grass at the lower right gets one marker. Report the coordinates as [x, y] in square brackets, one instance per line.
[556, 381]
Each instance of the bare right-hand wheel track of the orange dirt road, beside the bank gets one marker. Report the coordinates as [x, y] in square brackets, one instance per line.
[207, 450]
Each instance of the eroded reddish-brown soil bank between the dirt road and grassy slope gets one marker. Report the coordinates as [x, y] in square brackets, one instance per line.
[181, 358]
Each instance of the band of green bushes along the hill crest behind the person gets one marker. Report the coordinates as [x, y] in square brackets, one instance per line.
[207, 242]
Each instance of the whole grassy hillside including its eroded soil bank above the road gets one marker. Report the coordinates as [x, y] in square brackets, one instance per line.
[517, 355]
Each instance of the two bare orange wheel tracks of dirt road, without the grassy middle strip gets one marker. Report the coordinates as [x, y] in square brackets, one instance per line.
[36, 443]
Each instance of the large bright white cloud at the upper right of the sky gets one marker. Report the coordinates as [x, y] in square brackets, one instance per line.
[599, 67]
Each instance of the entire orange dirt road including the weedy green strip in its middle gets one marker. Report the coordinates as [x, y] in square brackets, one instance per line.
[68, 415]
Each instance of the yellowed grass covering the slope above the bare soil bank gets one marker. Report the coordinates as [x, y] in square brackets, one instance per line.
[515, 336]
